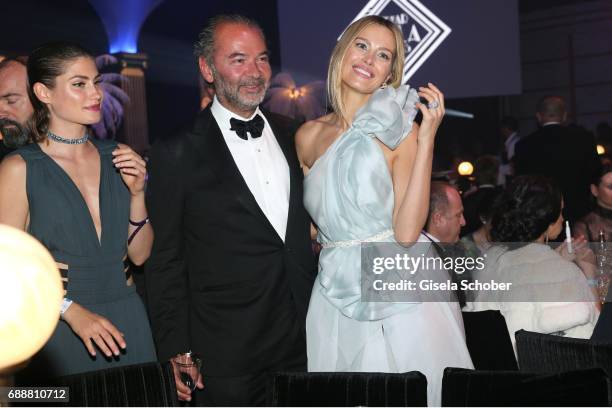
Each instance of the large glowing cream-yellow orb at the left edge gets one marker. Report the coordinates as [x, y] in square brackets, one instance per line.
[30, 296]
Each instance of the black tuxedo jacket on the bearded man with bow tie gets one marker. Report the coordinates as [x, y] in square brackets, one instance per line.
[220, 281]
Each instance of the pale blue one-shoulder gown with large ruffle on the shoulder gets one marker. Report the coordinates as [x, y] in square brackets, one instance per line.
[349, 195]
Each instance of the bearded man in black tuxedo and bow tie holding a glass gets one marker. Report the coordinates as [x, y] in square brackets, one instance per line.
[231, 268]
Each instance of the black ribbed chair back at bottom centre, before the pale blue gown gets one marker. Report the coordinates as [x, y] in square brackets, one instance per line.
[348, 389]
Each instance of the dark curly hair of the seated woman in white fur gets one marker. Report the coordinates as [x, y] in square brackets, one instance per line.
[525, 209]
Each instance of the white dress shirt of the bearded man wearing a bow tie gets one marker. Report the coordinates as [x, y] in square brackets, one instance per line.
[262, 164]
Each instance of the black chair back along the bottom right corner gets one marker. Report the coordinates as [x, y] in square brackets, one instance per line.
[463, 387]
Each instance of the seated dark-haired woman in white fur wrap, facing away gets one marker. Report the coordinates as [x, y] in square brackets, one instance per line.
[549, 294]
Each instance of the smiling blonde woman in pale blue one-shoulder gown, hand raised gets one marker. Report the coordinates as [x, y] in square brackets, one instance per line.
[367, 176]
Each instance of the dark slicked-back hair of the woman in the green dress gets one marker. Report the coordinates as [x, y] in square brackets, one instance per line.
[46, 63]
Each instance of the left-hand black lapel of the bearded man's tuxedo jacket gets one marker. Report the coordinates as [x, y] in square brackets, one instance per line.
[222, 164]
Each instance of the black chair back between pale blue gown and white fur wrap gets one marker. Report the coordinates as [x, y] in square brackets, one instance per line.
[488, 340]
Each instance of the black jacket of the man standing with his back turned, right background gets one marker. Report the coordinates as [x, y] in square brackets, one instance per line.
[566, 154]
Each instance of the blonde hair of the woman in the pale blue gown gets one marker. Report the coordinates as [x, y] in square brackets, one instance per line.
[334, 77]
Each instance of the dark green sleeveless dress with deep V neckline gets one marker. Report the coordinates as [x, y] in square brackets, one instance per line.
[95, 276]
